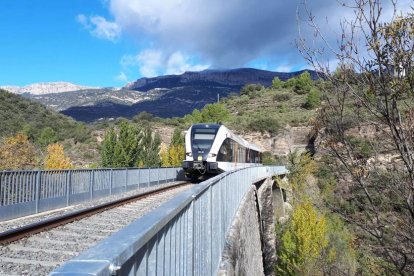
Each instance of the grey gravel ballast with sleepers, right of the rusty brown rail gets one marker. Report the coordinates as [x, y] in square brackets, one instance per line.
[43, 252]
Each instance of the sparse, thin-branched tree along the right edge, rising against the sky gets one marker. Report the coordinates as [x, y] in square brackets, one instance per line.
[372, 99]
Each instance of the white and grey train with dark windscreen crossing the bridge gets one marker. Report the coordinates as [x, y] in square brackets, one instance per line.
[212, 149]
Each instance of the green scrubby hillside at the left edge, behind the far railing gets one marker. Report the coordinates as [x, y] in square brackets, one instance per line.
[40, 127]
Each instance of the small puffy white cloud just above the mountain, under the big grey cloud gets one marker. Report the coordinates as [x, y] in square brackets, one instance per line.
[153, 62]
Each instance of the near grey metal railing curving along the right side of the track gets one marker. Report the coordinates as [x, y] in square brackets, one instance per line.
[184, 236]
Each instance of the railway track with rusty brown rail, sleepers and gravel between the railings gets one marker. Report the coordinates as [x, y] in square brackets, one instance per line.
[40, 247]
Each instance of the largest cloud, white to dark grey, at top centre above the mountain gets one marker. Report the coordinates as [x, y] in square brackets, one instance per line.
[224, 34]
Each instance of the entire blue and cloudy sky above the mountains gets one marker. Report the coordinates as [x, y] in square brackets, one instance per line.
[108, 43]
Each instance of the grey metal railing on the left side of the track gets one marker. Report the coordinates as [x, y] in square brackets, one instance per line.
[29, 192]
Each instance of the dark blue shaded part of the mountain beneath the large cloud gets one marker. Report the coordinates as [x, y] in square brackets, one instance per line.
[178, 95]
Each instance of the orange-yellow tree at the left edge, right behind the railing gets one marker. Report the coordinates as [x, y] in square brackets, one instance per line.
[16, 152]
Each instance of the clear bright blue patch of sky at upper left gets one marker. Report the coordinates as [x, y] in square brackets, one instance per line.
[42, 41]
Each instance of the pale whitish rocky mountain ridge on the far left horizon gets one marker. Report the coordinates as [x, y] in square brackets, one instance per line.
[45, 88]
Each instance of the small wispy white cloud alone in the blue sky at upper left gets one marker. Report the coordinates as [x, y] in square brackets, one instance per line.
[99, 27]
